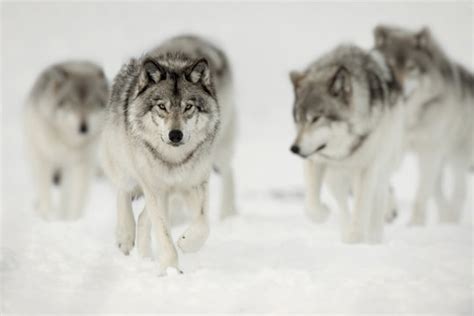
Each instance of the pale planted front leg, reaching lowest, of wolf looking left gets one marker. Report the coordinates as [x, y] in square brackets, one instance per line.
[364, 191]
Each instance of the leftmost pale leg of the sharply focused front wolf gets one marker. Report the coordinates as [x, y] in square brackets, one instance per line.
[125, 230]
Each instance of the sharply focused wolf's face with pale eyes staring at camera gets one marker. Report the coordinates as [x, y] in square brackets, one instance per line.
[174, 102]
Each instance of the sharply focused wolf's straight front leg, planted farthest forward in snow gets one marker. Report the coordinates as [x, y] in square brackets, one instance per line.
[156, 207]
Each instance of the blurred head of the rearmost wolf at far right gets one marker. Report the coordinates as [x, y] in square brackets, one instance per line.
[413, 57]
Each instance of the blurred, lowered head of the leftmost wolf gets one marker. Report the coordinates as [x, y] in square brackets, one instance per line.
[76, 99]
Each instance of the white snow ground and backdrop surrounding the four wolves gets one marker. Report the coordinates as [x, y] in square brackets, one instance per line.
[268, 259]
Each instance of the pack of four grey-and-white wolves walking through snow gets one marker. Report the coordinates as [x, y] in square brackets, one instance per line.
[169, 119]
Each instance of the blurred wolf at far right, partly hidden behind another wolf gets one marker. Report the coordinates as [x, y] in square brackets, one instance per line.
[439, 100]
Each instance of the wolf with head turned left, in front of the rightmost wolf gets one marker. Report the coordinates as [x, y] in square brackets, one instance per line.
[349, 127]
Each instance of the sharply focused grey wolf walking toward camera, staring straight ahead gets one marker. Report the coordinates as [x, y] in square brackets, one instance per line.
[169, 123]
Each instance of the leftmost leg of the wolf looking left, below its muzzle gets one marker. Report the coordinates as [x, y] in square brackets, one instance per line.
[313, 175]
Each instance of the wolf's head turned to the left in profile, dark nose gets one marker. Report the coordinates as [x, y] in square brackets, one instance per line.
[336, 102]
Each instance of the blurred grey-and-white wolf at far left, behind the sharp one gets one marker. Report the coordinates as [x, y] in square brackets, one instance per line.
[63, 117]
